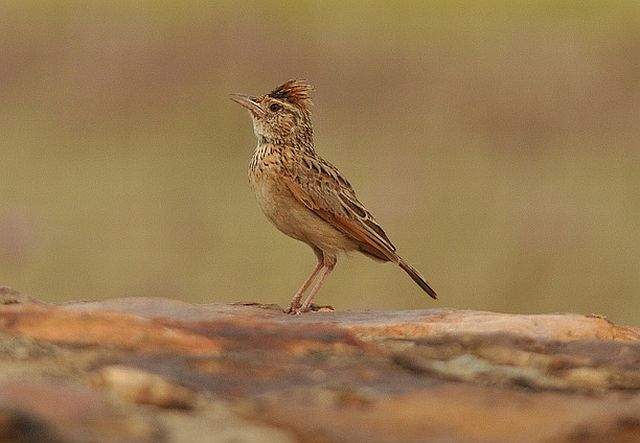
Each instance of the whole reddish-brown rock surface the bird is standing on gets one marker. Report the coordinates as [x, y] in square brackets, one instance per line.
[161, 370]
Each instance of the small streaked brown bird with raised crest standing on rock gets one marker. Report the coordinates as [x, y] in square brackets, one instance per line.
[305, 196]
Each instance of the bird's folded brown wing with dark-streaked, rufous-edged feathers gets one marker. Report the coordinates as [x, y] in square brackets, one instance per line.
[320, 187]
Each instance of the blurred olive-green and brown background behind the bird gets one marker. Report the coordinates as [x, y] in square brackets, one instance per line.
[497, 142]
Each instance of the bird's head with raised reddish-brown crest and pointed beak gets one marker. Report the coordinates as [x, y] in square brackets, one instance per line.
[283, 115]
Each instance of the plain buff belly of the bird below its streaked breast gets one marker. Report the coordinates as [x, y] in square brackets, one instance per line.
[294, 219]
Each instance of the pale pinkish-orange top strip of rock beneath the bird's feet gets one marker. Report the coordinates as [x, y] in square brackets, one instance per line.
[384, 324]
